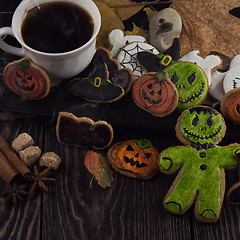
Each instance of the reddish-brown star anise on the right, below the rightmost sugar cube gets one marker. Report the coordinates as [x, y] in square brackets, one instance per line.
[39, 179]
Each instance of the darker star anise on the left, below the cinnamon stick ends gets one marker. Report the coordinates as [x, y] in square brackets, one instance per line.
[14, 193]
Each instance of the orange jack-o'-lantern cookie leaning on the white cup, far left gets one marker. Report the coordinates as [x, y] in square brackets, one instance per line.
[26, 79]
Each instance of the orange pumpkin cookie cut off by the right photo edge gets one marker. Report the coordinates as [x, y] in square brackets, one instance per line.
[230, 106]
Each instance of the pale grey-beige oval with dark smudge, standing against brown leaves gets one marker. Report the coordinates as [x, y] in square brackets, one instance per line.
[164, 27]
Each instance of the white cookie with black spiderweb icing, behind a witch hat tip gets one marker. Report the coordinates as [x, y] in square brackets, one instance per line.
[127, 56]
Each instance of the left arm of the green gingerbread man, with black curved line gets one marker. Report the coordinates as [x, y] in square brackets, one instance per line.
[172, 158]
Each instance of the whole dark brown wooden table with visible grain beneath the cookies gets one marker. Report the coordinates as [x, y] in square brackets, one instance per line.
[130, 209]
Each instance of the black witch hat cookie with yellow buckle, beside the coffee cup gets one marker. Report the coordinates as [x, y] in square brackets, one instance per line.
[97, 87]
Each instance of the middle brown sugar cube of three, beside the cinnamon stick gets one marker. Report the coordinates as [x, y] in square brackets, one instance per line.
[30, 155]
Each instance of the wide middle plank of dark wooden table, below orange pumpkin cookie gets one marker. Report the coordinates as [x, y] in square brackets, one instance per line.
[130, 209]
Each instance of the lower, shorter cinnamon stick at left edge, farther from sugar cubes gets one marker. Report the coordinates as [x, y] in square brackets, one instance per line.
[7, 171]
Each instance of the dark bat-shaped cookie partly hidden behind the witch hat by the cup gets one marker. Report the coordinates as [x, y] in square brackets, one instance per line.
[122, 77]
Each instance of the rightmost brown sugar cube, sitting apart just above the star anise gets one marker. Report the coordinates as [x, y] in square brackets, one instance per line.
[50, 159]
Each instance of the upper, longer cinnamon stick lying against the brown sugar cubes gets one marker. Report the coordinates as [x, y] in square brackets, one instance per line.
[13, 157]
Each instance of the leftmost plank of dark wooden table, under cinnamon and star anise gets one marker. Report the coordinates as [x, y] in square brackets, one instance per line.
[23, 222]
